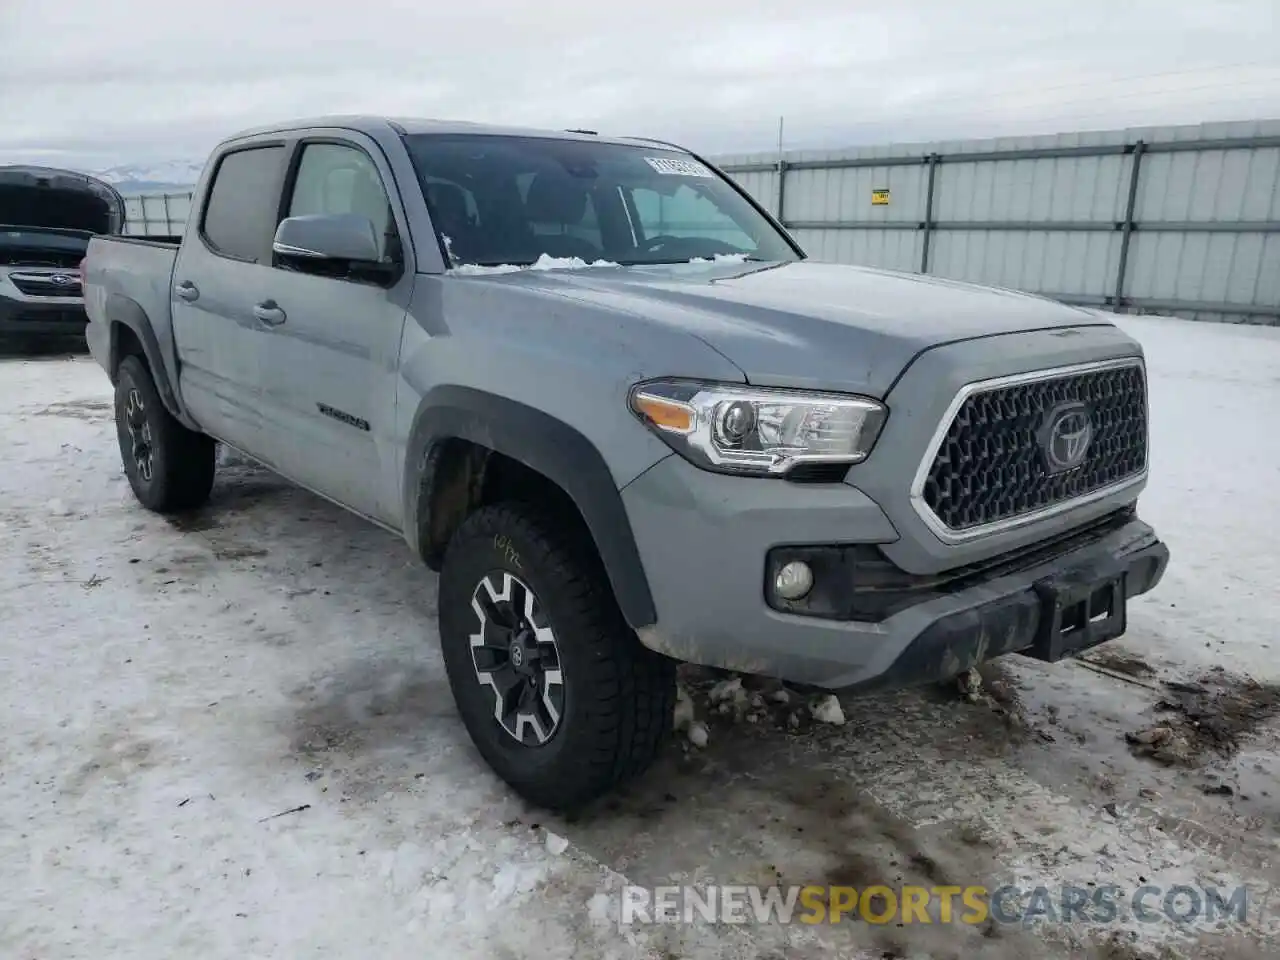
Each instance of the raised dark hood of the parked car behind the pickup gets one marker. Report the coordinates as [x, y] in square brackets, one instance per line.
[63, 200]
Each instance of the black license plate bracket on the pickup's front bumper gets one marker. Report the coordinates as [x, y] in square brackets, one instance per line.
[1078, 615]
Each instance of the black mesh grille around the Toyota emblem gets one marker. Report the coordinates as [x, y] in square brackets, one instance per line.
[993, 464]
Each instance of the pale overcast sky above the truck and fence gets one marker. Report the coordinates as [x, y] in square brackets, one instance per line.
[89, 85]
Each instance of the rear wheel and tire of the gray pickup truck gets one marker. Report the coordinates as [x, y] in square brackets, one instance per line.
[170, 468]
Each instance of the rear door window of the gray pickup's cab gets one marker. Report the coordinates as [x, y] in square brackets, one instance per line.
[240, 214]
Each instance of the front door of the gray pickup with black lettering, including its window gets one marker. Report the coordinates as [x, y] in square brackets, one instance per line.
[330, 378]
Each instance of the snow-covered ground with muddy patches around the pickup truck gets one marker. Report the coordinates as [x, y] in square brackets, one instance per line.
[231, 737]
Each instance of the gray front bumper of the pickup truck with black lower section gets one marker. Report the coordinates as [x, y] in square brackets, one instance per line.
[706, 555]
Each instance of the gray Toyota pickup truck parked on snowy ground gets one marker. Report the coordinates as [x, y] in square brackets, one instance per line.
[605, 395]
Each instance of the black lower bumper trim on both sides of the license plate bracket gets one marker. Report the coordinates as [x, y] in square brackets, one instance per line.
[1011, 624]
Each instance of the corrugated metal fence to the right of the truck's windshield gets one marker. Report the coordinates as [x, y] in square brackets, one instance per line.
[1178, 221]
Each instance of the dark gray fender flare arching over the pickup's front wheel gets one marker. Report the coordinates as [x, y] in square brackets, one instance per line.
[547, 446]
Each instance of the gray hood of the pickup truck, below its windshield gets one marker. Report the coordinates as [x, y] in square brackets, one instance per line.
[810, 324]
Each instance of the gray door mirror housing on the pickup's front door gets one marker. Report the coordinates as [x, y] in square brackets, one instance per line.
[335, 245]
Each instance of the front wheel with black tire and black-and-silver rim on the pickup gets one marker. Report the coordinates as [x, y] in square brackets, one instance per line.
[611, 711]
